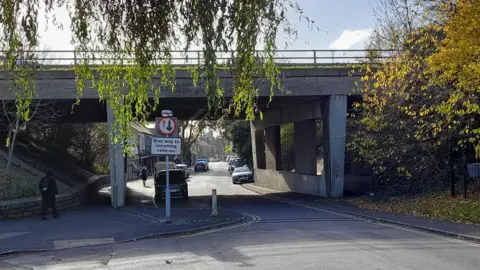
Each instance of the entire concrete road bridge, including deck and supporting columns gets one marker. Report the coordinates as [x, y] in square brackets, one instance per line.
[314, 92]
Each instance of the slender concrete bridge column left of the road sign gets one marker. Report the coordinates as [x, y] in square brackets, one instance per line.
[117, 166]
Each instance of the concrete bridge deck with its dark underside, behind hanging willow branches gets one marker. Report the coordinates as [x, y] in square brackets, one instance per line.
[188, 101]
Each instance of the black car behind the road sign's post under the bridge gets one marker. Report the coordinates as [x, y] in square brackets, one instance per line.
[178, 184]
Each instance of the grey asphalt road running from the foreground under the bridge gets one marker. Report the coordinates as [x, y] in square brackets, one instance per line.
[281, 236]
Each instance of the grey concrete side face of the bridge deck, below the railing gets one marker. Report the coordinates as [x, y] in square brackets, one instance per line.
[299, 82]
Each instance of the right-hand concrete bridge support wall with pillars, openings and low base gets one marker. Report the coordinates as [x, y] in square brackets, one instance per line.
[332, 110]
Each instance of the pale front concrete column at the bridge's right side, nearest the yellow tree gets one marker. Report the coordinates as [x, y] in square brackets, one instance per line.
[334, 116]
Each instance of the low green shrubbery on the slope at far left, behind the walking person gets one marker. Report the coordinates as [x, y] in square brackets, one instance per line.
[17, 183]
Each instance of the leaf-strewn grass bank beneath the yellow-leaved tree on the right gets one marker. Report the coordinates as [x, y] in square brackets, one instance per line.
[437, 206]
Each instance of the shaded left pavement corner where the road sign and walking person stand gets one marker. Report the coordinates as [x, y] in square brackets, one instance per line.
[101, 224]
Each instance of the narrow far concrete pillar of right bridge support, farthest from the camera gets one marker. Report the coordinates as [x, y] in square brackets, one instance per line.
[272, 148]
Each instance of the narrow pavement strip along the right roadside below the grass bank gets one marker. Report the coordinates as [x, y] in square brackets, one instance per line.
[448, 228]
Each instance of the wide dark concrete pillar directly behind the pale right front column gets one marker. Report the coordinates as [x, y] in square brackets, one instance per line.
[305, 146]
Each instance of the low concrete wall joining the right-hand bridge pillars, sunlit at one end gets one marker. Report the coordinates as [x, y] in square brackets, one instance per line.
[291, 182]
